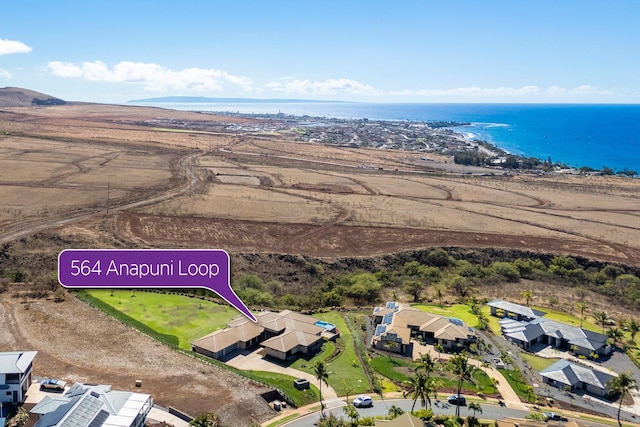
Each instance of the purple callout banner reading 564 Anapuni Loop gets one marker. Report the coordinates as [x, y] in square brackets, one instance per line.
[149, 268]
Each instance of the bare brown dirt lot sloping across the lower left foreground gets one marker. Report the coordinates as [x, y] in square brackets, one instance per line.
[80, 344]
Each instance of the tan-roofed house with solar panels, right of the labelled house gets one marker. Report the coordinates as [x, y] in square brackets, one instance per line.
[402, 323]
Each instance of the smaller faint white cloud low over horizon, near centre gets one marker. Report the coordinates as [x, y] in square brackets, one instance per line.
[328, 87]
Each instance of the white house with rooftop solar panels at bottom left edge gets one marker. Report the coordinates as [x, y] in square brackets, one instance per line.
[95, 406]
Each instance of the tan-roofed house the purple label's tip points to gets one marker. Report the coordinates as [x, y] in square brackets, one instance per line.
[282, 334]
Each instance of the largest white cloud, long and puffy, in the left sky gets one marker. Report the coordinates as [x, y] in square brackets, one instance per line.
[152, 77]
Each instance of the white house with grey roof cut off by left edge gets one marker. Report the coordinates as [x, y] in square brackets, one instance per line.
[16, 372]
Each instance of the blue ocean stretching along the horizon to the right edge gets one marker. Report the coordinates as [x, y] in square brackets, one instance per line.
[573, 134]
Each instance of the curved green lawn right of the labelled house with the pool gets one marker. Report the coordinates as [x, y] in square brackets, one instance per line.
[346, 374]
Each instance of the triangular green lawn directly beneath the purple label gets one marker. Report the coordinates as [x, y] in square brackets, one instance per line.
[186, 318]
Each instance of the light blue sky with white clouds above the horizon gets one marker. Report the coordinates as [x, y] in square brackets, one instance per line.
[113, 51]
